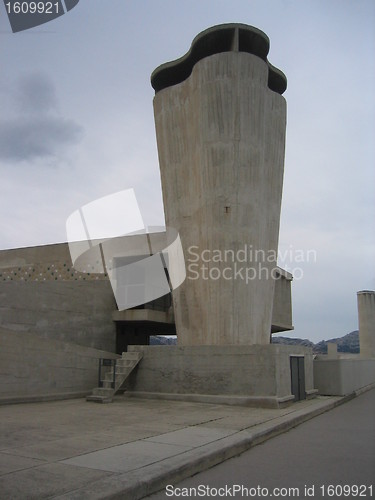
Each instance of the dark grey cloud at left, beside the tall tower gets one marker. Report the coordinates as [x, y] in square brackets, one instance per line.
[36, 129]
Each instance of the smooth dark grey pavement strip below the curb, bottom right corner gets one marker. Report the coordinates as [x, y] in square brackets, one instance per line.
[336, 448]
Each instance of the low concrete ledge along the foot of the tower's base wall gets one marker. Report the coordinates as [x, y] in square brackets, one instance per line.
[251, 401]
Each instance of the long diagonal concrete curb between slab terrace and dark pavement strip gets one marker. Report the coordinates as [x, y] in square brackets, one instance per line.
[135, 485]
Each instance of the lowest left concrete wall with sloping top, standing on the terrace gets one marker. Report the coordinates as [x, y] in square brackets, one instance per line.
[32, 368]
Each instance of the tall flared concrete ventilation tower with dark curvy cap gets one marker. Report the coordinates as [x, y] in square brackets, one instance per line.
[220, 125]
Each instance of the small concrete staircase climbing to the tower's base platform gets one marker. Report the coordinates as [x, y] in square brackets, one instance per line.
[124, 366]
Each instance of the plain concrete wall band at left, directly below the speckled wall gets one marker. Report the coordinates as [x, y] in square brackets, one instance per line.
[77, 312]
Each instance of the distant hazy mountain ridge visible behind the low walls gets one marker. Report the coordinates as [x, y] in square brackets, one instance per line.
[348, 343]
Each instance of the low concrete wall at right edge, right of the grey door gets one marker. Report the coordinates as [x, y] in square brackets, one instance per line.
[339, 377]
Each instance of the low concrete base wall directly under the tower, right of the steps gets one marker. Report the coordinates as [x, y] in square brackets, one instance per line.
[251, 371]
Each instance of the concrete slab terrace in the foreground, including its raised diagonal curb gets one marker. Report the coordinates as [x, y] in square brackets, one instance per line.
[130, 448]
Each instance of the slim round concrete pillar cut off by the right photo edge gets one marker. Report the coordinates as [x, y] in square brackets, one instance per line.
[366, 320]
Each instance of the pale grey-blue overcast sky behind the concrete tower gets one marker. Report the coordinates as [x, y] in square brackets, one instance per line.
[76, 124]
